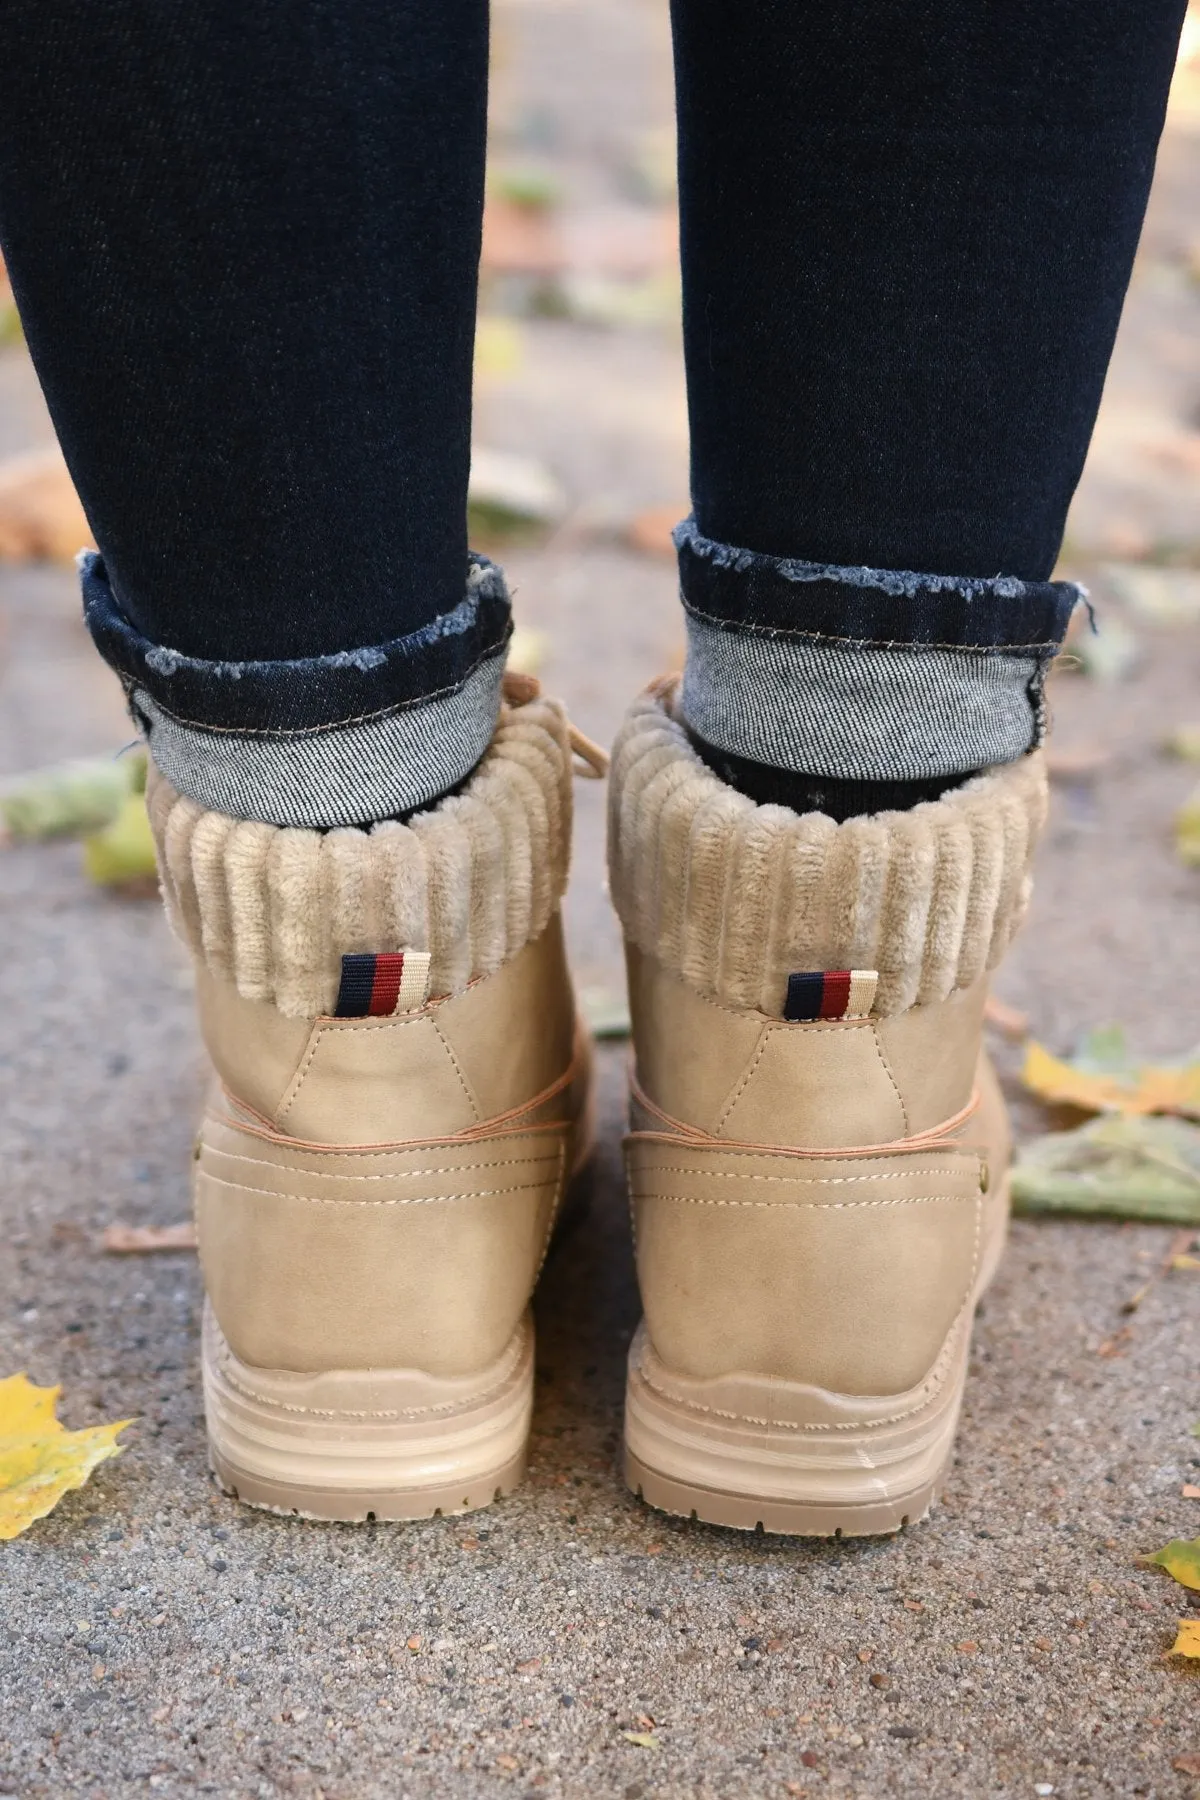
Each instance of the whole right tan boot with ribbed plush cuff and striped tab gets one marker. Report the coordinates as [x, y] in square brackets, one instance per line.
[819, 1149]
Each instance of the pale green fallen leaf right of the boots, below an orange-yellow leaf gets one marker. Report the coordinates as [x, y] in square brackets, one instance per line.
[1118, 1167]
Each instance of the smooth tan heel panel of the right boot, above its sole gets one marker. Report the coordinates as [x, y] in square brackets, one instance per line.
[841, 1273]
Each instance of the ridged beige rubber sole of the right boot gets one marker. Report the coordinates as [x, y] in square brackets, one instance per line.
[809, 1464]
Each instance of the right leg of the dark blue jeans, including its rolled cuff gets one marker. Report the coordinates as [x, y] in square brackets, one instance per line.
[908, 231]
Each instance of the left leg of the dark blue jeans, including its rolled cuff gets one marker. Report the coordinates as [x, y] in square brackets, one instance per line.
[246, 244]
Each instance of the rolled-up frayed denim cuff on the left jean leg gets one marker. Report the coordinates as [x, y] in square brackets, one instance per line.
[323, 741]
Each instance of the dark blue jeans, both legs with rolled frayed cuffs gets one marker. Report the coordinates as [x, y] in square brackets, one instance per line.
[246, 244]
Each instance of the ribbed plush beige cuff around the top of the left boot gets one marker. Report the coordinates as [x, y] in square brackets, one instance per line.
[472, 881]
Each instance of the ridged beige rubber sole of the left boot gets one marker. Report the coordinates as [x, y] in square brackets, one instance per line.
[355, 1446]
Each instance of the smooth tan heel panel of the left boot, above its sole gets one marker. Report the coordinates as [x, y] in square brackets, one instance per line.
[413, 1257]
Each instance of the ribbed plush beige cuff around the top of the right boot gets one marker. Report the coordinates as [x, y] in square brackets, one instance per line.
[737, 897]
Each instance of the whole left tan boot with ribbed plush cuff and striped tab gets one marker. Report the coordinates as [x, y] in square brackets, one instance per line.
[400, 1104]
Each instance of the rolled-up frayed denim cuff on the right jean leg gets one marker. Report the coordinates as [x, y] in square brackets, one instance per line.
[864, 674]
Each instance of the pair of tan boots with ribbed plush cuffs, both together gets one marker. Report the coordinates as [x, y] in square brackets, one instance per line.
[818, 1149]
